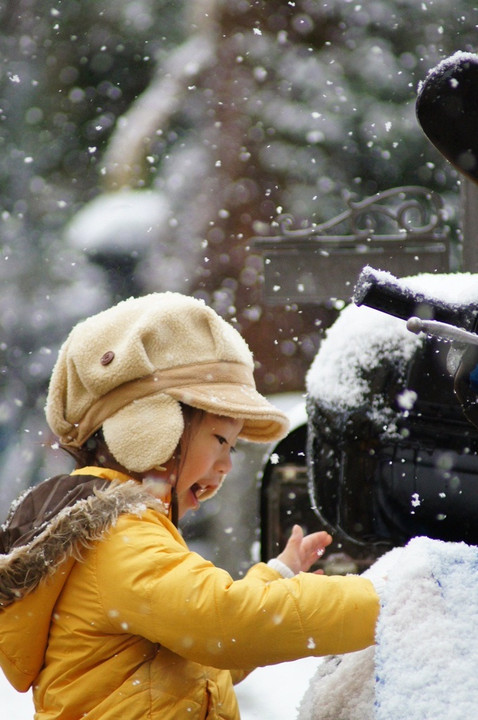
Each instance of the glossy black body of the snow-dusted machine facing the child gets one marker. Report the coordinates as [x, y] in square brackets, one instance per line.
[377, 491]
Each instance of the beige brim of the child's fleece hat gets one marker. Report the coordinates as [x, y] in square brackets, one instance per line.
[263, 422]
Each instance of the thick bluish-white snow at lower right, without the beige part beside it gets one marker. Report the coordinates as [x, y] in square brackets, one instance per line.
[427, 650]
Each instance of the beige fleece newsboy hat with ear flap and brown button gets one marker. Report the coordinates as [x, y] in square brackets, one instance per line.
[126, 368]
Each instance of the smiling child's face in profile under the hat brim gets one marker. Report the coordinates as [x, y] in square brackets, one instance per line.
[207, 460]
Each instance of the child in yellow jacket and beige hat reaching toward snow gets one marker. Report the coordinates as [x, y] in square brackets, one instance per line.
[106, 613]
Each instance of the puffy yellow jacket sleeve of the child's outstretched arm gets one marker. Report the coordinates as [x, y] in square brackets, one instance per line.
[162, 591]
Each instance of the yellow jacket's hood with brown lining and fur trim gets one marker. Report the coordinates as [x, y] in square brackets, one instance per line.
[47, 530]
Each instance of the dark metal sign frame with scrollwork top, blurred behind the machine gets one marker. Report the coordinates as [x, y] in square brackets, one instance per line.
[402, 230]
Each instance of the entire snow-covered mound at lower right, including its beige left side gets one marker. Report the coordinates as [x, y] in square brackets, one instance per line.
[424, 664]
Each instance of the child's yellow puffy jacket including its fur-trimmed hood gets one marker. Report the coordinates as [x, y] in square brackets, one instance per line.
[129, 623]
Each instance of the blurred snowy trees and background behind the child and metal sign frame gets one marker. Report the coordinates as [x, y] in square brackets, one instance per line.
[143, 143]
